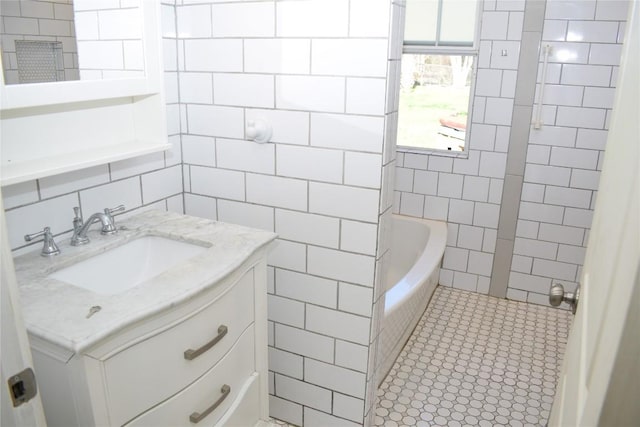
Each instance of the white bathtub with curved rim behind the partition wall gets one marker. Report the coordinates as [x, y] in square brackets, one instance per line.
[417, 247]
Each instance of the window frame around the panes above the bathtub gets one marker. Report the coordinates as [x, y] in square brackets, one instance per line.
[451, 48]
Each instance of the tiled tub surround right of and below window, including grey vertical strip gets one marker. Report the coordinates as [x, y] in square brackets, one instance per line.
[519, 208]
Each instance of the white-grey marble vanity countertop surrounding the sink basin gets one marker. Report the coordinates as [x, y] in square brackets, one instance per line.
[57, 311]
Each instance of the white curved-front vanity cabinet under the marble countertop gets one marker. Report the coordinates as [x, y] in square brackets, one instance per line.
[201, 362]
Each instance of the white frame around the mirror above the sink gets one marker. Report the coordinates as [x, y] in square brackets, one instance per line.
[42, 94]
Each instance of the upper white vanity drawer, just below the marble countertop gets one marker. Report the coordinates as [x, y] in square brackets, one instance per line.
[152, 370]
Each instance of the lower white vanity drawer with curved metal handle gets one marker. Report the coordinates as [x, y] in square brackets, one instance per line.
[235, 370]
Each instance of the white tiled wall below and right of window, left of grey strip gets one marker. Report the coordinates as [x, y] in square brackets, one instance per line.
[467, 192]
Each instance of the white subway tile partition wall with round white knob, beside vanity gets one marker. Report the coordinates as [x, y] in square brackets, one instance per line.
[316, 71]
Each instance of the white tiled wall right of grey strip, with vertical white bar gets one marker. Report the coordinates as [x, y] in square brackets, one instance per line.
[564, 157]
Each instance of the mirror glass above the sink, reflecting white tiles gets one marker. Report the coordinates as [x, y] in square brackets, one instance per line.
[65, 40]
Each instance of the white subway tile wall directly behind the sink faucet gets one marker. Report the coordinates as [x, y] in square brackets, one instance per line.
[154, 180]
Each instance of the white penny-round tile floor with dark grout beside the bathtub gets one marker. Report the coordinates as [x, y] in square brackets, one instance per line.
[476, 360]
